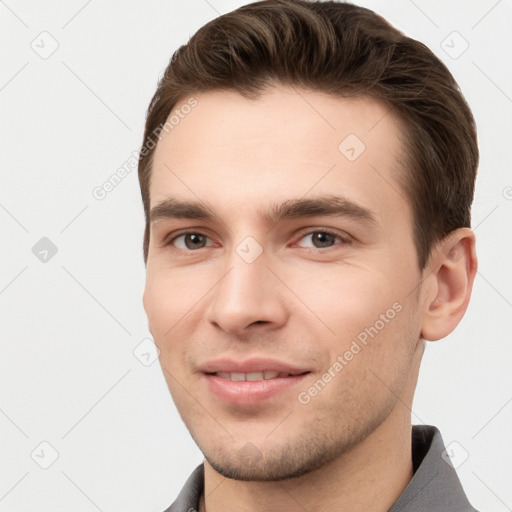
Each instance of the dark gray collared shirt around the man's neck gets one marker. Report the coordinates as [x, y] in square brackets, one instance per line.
[434, 487]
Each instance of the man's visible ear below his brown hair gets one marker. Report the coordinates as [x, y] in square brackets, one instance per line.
[449, 280]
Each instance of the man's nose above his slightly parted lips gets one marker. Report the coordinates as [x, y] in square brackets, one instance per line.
[249, 297]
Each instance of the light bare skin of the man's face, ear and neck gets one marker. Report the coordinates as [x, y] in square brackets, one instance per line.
[348, 448]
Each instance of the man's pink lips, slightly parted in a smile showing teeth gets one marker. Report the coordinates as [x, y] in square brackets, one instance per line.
[251, 382]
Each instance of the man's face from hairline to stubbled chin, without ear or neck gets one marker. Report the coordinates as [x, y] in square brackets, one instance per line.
[288, 318]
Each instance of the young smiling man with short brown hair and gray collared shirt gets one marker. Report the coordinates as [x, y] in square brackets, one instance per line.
[307, 173]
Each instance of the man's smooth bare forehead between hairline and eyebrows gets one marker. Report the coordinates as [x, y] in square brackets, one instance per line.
[234, 152]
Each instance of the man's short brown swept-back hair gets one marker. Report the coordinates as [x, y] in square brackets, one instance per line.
[347, 51]
